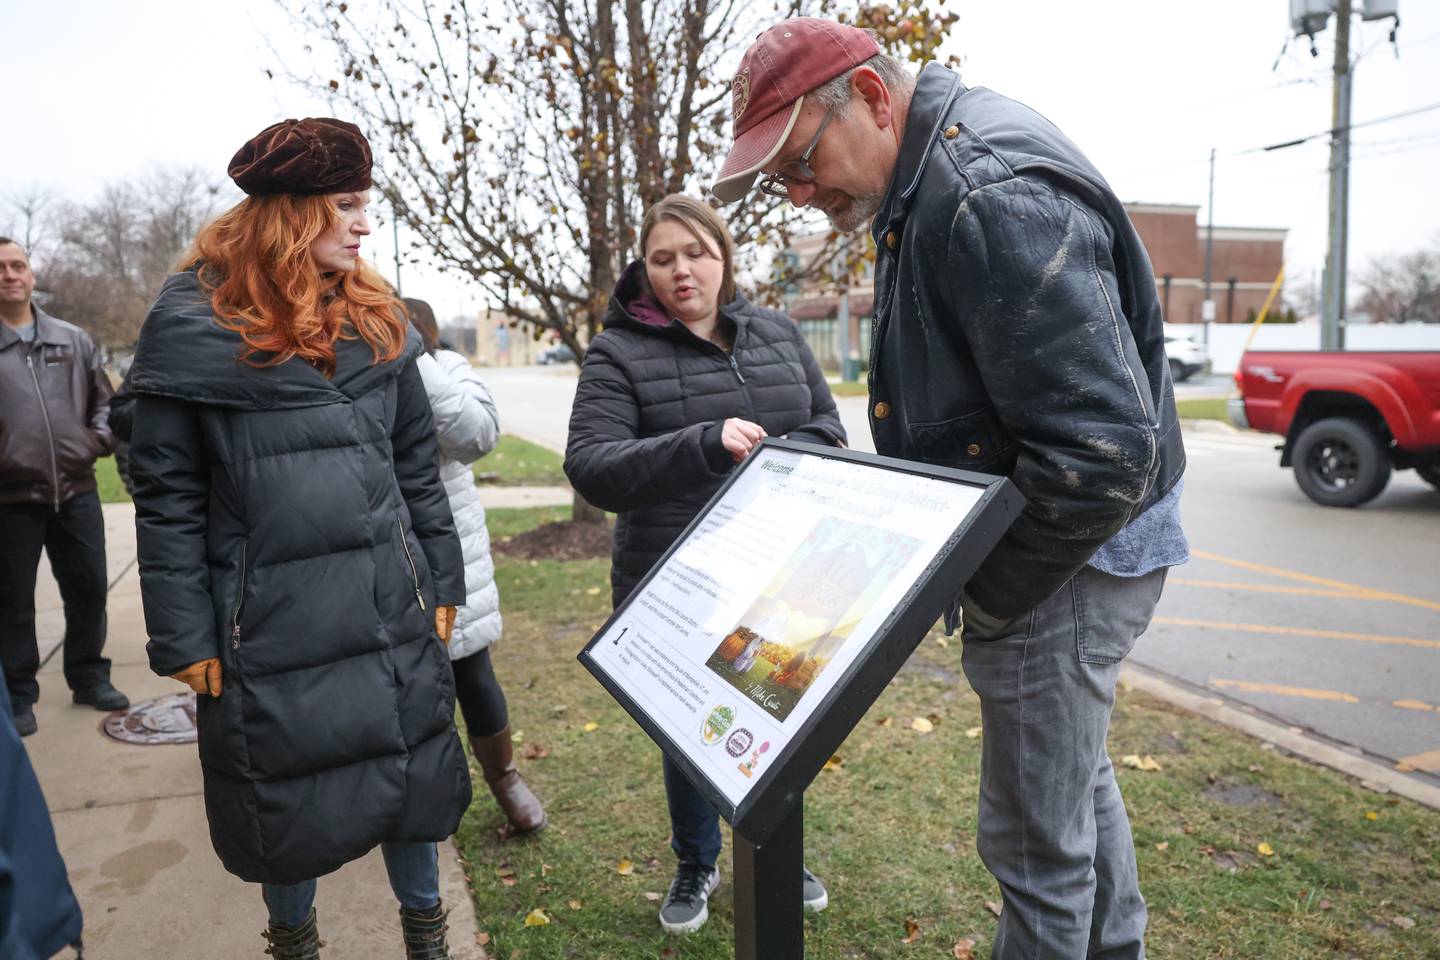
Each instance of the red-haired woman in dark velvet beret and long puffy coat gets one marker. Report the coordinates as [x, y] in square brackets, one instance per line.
[299, 562]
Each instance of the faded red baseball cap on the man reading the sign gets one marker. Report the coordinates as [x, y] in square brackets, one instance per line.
[783, 65]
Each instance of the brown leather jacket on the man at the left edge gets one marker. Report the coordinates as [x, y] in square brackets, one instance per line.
[54, 408]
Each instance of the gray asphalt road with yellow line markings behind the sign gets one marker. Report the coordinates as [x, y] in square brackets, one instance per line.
[1328, 620]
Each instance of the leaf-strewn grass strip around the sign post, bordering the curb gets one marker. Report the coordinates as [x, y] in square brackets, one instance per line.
[892, 830]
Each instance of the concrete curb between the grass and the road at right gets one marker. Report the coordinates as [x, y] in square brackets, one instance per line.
[1372, 774]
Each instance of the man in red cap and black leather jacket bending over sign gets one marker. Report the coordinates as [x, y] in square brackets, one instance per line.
[1019, 333]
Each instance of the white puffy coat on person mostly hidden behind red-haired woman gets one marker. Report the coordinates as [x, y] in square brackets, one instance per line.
[467, 428]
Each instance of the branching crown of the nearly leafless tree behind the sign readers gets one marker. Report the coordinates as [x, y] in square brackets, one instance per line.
[522, 140]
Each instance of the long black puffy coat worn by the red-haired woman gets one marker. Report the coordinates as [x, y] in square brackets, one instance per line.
[296, 527]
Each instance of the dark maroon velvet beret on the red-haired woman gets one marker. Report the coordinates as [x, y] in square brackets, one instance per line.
[307, 156]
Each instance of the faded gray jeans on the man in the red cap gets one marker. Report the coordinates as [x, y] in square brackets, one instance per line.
[1052, 824]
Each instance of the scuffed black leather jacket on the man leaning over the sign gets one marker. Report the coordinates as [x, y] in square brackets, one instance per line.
[1017, 332]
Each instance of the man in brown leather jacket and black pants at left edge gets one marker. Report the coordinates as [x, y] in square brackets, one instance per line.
[54, 409]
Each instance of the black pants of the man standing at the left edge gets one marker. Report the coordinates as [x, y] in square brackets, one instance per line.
[74, 538]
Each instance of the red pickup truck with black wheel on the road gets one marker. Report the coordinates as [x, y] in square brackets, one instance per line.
[1349, 418]
